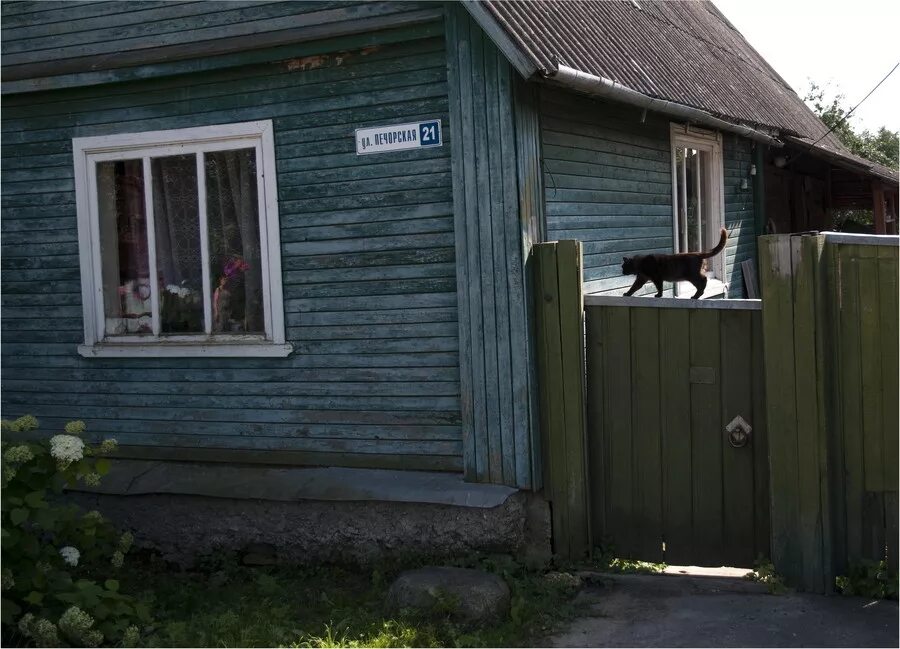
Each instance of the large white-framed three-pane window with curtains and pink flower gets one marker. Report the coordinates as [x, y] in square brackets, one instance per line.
[179, 242]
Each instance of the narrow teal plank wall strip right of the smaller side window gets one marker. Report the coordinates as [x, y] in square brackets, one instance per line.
[737, 156]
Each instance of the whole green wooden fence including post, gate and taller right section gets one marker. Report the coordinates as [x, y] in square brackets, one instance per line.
[829, 411]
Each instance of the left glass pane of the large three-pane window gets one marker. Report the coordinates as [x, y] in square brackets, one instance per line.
[123, 248]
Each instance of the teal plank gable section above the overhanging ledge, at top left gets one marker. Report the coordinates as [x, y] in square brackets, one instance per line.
[53, 45]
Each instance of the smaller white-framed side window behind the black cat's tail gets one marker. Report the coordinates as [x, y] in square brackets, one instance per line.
[698, 196]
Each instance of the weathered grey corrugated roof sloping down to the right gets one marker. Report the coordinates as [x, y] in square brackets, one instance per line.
[685, 52]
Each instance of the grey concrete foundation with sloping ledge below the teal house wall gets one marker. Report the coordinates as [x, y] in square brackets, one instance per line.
[313, 515]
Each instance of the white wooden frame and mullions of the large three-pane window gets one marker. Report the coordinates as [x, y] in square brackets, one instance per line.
[88, 151]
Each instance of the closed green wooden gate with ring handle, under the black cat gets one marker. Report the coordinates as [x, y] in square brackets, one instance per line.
[674, 476]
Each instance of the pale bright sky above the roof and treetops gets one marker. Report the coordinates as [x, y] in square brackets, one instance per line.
[845, 47]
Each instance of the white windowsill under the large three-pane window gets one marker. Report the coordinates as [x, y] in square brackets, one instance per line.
[185, 349]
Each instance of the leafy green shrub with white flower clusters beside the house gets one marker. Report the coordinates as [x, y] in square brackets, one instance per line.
[59, 562]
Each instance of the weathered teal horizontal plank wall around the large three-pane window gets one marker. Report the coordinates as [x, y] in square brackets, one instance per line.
[367, 254]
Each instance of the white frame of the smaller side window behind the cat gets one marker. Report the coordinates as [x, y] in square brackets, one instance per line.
[685, 136]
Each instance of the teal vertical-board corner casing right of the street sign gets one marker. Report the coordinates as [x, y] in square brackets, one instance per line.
[497, 407]
